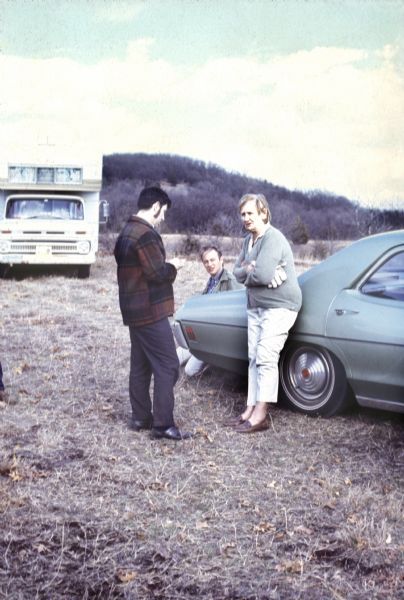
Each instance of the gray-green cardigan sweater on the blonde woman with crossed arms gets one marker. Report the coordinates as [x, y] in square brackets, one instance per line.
[269, 251]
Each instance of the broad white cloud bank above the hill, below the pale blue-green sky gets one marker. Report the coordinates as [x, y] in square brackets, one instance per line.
[327, 119]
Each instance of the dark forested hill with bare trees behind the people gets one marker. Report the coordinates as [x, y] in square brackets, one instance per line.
[205, 199]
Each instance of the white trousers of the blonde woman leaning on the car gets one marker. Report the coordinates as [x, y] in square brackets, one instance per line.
[268, 330]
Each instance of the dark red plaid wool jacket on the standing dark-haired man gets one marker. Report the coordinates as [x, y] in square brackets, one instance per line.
[144, 277]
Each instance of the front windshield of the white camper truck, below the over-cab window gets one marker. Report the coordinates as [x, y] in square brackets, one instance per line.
[44, 208]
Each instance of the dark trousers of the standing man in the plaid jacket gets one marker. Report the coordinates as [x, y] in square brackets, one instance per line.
[153, 353]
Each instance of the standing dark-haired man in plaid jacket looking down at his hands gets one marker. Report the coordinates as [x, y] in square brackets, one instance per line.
[146, 300]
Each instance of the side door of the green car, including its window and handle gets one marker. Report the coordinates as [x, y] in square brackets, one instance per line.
[367, 323]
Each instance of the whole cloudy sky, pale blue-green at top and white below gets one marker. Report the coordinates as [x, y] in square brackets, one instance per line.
[308, 94]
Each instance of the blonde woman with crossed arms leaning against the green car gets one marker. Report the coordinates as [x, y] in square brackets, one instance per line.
[272, 309]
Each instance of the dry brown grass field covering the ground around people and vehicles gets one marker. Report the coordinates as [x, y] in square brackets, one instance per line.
[311, 509]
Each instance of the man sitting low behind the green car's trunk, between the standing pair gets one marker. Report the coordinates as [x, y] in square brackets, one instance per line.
[220, 280]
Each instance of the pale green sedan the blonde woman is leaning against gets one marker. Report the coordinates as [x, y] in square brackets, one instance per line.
[348, 340]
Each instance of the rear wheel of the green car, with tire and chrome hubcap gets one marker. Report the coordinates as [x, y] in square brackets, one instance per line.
[313, 381]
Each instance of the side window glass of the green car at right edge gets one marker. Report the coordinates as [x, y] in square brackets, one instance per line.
[388, 280]
